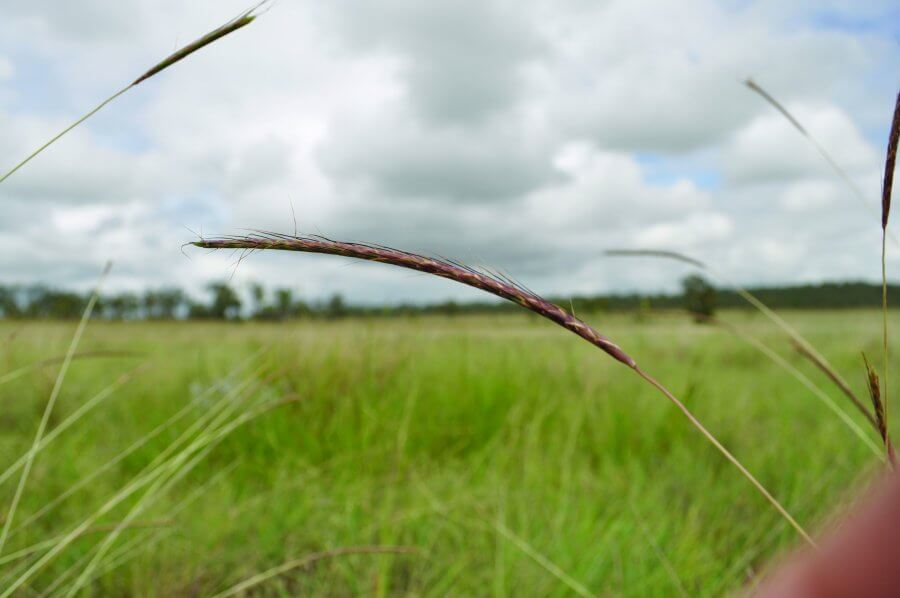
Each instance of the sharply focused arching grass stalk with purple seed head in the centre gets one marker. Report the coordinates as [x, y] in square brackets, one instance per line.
[497, 285]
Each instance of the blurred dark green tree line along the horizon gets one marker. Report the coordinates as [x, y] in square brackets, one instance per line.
[223, 301]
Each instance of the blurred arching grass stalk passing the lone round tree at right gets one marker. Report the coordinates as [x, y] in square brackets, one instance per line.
[804, 346]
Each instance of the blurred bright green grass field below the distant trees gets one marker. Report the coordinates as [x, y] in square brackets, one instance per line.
[517, 458]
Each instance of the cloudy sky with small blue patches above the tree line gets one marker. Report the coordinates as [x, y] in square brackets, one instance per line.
[527, 136]
